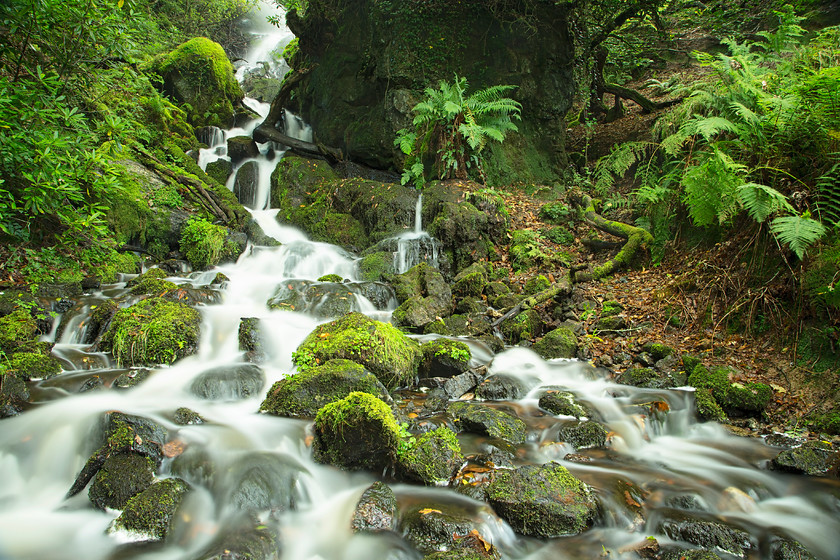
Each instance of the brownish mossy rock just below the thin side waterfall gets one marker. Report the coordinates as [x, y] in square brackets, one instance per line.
[423, 295]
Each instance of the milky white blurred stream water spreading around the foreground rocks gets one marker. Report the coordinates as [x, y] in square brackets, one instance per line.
[669, 456]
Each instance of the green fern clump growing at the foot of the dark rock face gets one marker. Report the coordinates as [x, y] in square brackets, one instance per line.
[452, 128]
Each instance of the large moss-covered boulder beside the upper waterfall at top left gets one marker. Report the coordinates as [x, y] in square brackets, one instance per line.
[199, 75]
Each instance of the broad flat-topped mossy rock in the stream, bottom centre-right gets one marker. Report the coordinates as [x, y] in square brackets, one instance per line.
[542, 501]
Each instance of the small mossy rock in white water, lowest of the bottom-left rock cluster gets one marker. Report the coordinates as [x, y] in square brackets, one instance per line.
[152, 512]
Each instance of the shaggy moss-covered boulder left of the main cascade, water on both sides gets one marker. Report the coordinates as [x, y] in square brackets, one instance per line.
[152, 331]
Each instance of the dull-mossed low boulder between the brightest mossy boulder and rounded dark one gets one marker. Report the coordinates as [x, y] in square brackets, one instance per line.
[305, 393]
